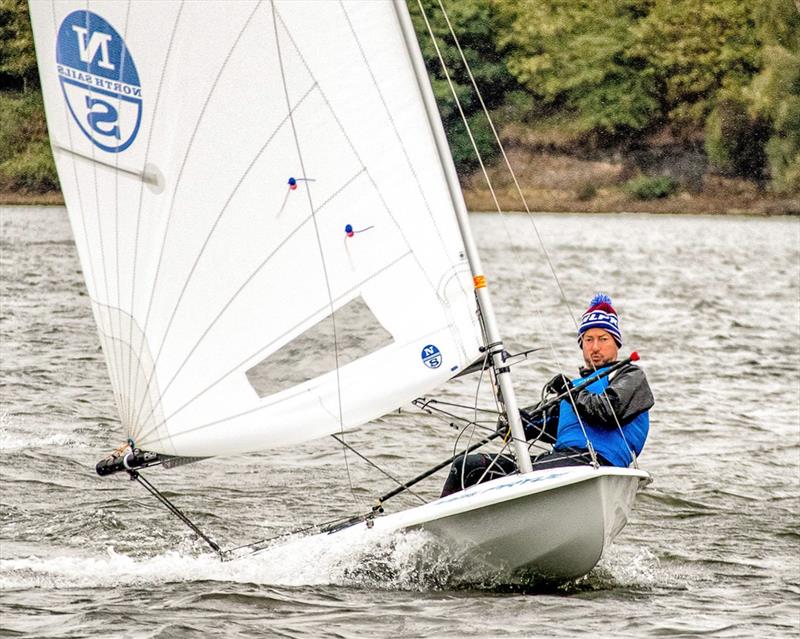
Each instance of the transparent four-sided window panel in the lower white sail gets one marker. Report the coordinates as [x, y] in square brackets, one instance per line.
[358, 333]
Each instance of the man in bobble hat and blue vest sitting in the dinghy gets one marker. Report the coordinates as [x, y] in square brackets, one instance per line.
[608, 416]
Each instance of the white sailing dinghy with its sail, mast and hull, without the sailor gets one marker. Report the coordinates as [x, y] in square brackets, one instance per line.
[248, 181]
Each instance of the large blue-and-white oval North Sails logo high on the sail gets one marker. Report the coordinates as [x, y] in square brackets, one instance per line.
[99, 80]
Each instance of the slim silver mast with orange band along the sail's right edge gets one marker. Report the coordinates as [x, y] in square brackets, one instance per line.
[495, 345]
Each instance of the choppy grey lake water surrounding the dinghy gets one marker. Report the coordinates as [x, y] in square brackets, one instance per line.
[711, 303]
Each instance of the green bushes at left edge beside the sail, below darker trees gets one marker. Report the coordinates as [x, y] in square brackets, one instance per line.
[26, 163]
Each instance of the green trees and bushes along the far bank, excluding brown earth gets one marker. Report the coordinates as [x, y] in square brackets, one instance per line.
[599, 73]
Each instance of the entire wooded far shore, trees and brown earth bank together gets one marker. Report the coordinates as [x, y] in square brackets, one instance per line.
[661, 106]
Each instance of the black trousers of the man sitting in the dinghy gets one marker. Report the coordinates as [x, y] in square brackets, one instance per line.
[481, 467]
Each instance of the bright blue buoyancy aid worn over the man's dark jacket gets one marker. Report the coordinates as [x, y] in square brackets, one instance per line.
[613, 446]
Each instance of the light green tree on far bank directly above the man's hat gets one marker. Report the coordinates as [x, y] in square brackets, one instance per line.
[574, 56]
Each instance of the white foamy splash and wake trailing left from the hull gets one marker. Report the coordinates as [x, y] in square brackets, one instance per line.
[412, 560]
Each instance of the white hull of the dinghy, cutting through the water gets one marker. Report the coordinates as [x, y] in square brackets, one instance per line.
[551, 524]
